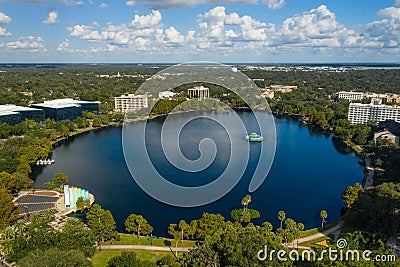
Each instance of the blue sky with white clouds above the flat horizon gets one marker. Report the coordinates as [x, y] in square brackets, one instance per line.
[265, 31]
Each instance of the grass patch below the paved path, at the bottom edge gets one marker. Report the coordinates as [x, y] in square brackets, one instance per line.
[101, 258]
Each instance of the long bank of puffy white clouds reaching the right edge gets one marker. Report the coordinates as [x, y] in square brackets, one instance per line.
[217, 31]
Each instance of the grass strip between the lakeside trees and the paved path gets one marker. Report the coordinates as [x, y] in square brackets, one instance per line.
[129, 239]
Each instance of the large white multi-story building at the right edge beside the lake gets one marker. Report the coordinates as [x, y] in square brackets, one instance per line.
[362, 113]
